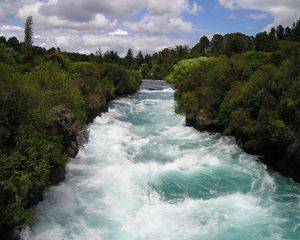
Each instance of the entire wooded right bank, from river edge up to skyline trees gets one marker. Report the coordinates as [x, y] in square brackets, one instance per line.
[248, 88]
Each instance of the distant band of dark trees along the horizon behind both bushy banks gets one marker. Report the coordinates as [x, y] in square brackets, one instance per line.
[159, 64]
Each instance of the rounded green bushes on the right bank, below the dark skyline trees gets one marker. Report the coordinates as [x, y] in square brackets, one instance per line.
[253, 95]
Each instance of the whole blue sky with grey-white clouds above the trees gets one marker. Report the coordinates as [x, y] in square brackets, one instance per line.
[149, 25]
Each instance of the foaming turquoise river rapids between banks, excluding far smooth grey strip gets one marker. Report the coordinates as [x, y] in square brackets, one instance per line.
[144, 175]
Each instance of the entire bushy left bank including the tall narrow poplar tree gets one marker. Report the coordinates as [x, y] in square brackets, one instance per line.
[46, 101]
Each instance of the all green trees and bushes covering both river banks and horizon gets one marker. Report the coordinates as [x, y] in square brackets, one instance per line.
[239, 85]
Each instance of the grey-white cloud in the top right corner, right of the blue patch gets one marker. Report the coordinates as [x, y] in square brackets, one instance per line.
[284, 12]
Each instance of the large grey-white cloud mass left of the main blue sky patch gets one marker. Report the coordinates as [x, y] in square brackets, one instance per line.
[87, 25]
